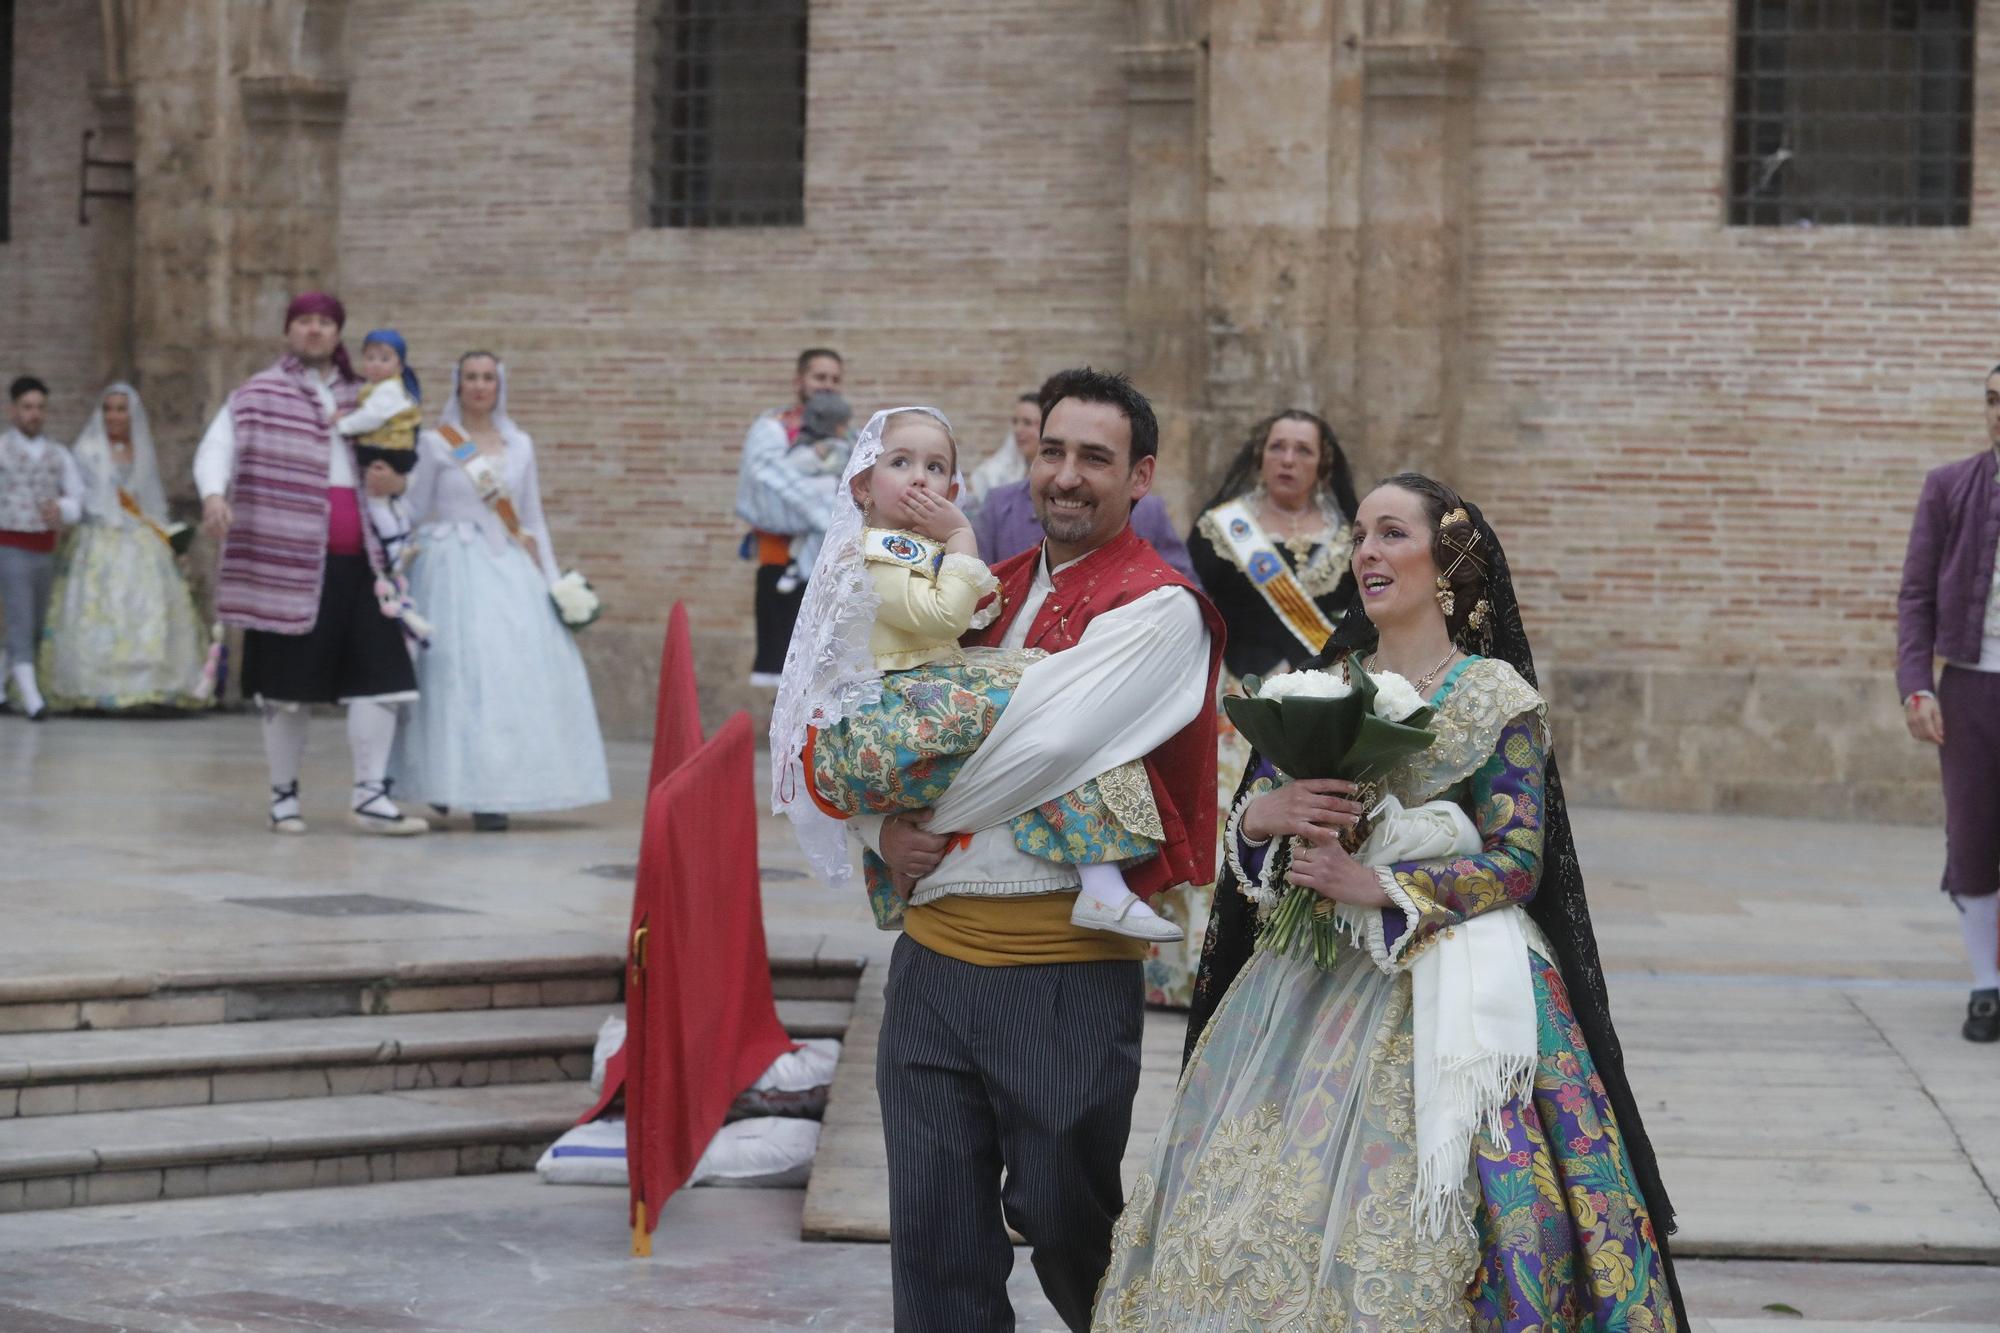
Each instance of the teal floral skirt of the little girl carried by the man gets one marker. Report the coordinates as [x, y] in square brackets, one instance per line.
[905, 752]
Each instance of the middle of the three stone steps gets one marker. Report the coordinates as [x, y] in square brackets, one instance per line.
[127, 1070]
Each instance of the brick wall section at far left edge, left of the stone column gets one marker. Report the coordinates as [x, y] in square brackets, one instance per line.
[51, 279]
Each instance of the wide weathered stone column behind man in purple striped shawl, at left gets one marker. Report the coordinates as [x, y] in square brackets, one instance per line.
[237, 113]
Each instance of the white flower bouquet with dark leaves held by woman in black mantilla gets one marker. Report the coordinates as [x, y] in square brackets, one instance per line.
[1341, 724]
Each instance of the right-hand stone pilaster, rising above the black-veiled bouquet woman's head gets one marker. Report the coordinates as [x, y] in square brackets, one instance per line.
[1413, 233]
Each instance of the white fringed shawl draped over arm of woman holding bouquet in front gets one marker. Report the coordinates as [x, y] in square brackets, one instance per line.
[1473, 1006]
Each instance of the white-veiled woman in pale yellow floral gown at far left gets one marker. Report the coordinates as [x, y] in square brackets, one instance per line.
[121, 627]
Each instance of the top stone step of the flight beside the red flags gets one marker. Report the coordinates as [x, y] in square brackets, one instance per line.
[435, 986]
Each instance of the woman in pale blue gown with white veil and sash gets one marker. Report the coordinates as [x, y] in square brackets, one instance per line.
[507, 724]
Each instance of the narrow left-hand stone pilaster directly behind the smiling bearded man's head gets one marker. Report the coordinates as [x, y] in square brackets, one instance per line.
[1167, 235]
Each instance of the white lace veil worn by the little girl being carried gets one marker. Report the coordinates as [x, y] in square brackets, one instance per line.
[829, 672]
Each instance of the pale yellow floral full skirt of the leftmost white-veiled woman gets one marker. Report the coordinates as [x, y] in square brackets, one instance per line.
[121, 629]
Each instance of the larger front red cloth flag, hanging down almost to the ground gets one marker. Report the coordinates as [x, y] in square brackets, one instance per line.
[701, 1020]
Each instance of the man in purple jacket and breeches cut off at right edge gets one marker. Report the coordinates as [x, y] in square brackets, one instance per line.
[1951, 609]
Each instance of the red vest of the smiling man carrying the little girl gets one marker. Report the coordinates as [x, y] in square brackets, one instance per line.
[1183, 770]
